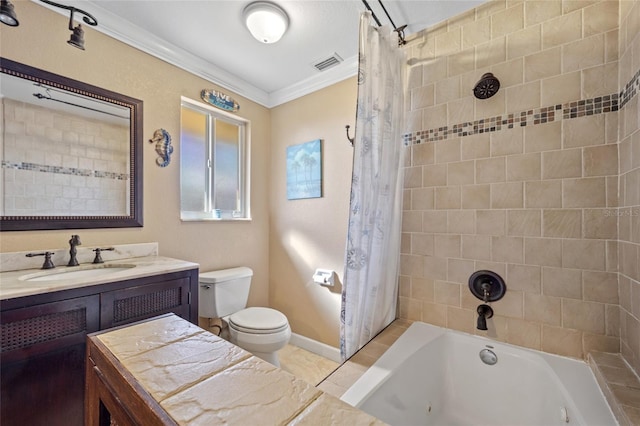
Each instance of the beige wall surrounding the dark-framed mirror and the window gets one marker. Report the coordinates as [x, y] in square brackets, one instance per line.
[40, 41]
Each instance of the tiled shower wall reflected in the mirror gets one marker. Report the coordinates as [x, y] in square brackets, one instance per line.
[59, 164]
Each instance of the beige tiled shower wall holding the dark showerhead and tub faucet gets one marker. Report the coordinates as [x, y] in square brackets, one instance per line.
[525, 183]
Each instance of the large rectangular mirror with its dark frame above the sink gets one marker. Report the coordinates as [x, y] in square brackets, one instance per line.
[71, 153]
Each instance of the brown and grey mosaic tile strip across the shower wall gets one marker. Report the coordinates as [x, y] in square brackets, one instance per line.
[532, 117]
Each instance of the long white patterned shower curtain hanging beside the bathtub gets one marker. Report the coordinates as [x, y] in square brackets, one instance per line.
[369, 292]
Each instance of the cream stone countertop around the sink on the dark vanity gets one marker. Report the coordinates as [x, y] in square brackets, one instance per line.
[14, 283]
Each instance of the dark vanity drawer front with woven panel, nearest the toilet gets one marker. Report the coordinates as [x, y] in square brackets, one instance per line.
[119, 307]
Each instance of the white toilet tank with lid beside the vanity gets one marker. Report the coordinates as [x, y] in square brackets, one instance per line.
[223, 292]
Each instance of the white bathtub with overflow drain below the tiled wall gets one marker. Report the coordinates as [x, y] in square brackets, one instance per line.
[435, 376]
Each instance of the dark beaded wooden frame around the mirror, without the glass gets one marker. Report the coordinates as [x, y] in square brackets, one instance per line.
[134, 218]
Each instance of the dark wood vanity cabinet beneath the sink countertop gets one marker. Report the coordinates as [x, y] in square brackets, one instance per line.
[42, 351]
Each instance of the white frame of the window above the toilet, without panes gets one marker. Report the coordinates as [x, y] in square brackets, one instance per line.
[244, 165]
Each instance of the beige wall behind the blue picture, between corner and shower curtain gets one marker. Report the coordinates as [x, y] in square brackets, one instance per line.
[309, 234]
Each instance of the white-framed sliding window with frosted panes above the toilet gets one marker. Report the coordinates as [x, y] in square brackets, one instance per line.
[214, 165]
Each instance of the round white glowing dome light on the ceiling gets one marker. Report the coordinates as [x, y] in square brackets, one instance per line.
[266, 21]
